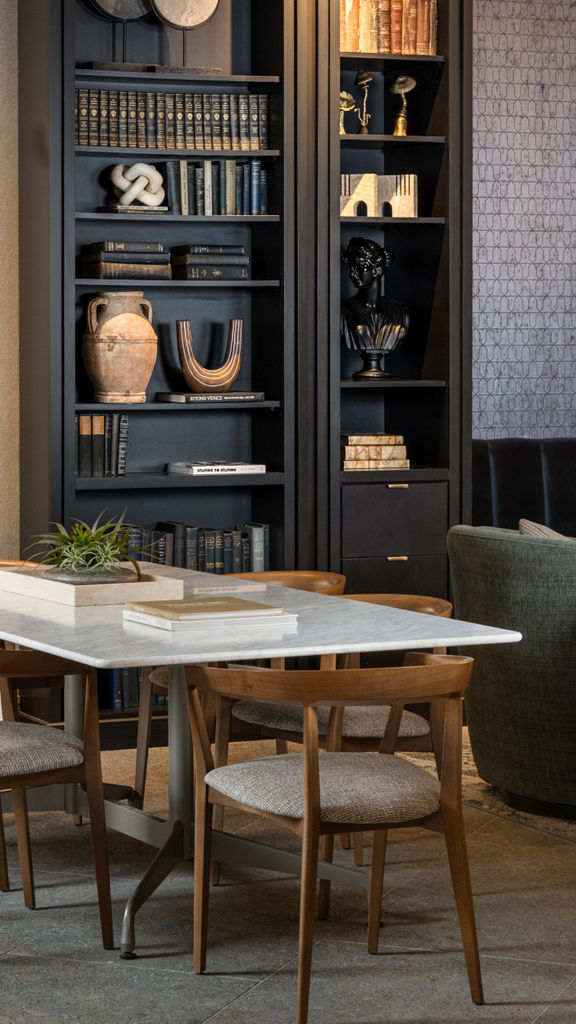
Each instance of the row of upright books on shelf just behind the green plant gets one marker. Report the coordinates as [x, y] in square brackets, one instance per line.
[239, 549]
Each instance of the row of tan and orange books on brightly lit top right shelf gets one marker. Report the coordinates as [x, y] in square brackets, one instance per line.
[389, 27]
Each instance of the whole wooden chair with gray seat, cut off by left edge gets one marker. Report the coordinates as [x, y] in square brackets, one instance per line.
[33, 755]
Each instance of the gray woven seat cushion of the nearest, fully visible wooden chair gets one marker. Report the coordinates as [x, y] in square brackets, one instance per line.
[359, 789]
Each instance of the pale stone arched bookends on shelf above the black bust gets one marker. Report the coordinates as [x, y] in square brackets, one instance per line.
[383, 195]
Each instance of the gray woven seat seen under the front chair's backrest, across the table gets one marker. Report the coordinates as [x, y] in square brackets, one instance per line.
[358, 722]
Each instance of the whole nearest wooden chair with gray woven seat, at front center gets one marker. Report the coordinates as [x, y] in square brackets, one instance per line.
[360, 791]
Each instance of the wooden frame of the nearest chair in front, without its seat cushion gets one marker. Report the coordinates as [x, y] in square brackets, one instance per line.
[439, 679]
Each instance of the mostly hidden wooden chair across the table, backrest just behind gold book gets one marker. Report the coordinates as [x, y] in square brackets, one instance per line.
[156, 680]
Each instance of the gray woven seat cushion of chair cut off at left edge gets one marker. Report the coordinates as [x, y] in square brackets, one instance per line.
[26, 749]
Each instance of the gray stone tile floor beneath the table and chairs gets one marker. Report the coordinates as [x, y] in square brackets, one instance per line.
[53, 970]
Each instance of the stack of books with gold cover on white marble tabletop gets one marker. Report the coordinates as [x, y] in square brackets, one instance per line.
[219, 614]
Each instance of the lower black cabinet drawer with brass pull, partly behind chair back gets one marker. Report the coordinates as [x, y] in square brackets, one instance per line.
[419, 575]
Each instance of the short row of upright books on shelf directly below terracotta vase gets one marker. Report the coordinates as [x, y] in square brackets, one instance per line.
[102, 444]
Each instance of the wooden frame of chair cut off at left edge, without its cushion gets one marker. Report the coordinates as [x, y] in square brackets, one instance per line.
[18, 668]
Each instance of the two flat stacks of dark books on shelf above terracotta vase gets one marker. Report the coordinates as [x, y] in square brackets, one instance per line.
[153, 262]
